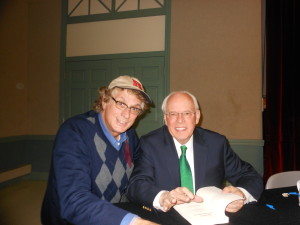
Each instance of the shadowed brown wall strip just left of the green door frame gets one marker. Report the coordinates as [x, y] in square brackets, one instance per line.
[43, 66]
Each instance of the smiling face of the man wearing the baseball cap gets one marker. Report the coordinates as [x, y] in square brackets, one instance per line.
[118, 120]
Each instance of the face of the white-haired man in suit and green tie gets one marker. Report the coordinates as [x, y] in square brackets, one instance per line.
[181, 117]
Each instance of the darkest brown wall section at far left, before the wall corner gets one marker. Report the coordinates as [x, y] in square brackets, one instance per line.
[13, 67]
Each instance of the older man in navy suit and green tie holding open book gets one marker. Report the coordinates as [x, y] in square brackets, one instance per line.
[158, 178]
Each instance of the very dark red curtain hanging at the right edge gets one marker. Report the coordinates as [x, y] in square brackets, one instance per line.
[281, 117]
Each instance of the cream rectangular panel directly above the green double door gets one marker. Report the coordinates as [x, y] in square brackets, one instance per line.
[116, 36]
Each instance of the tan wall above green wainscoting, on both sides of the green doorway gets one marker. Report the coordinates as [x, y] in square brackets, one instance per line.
[215, 53]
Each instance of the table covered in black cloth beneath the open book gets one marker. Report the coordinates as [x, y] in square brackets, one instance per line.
[287, 211]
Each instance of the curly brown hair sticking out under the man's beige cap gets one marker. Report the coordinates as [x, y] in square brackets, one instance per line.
[104, 95]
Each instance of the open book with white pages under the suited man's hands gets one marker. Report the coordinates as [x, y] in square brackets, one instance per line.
[211, 210]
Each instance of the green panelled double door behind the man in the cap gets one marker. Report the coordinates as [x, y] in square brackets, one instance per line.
[83, 78]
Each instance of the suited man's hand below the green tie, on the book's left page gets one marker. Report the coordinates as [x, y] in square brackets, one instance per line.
[177, 196]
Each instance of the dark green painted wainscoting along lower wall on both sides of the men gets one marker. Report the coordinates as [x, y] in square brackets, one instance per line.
[36, 150]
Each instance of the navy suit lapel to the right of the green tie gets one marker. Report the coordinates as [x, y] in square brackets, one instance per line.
[200, 158]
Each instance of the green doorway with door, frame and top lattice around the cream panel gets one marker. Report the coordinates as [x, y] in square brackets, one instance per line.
[81, 76]
